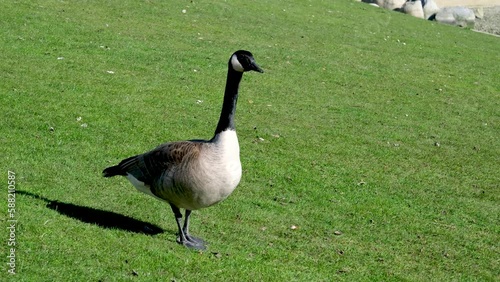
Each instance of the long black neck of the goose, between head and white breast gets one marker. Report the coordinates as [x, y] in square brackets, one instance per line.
[226, 120]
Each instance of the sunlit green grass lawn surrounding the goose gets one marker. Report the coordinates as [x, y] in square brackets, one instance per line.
[352, 107]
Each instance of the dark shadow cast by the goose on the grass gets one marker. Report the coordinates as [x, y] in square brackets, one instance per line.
[101, 218]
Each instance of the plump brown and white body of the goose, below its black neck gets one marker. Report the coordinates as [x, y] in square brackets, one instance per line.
[206, 173]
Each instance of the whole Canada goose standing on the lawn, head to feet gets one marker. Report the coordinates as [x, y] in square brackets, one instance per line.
[194, 174]
